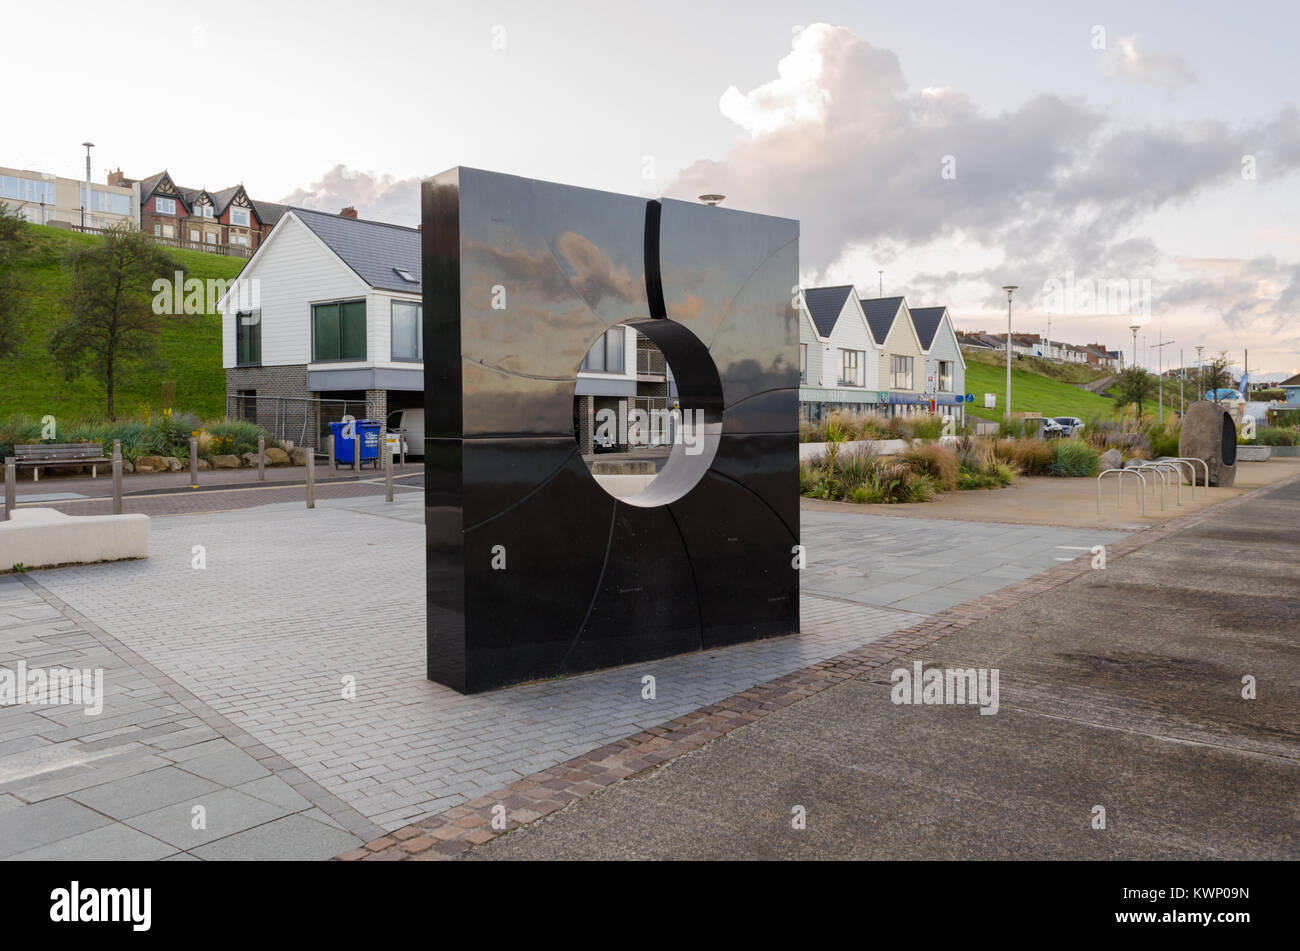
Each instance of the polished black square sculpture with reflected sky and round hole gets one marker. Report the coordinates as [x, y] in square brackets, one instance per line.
[534, 570]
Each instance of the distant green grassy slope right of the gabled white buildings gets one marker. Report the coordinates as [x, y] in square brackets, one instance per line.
[1032, 392]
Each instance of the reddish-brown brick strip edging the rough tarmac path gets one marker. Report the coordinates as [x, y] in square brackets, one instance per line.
[456, 832]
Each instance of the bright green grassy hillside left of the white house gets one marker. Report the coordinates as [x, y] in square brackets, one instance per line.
[190, 353]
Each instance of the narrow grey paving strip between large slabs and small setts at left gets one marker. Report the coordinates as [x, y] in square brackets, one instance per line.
[336, 809]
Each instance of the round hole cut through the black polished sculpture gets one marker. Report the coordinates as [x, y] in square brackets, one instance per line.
[648, 411]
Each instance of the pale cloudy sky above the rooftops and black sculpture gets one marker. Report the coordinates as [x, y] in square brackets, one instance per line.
[1149, 149]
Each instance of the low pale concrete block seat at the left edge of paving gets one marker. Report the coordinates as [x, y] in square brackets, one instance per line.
[42, 537]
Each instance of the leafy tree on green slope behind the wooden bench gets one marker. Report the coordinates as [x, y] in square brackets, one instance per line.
[110, 302]
